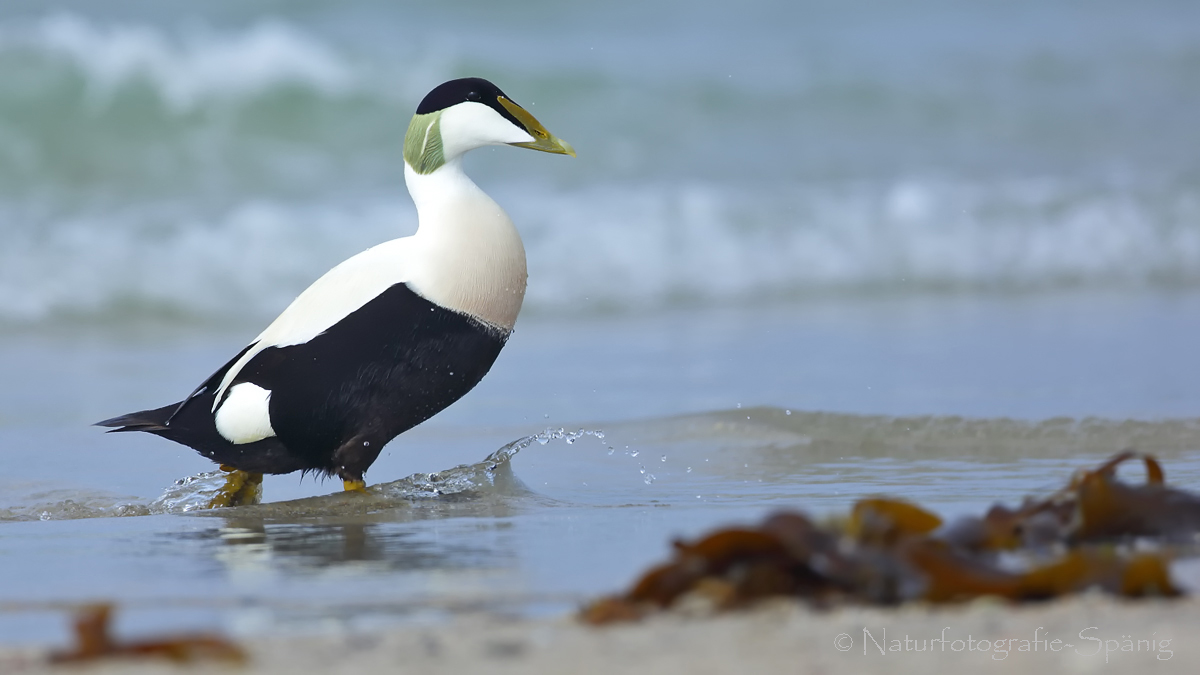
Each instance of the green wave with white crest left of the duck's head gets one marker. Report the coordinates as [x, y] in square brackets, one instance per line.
[109, 111]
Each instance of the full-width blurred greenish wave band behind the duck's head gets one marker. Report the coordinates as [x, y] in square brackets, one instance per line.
[136, 110]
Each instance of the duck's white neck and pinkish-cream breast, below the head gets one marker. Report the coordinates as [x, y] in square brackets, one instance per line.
[467, 256]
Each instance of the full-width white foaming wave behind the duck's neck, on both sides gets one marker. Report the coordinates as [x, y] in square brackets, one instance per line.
[623, 248]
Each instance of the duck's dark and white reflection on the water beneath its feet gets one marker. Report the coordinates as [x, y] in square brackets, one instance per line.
[363, 561]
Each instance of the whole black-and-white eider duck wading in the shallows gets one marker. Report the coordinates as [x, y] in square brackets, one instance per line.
[387, 339]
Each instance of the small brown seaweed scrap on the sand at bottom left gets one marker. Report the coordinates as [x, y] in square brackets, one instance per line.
[95, 642]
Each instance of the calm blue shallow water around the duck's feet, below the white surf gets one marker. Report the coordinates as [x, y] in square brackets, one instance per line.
[566, 521]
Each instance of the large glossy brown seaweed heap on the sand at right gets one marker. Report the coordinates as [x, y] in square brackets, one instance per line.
[891, 552]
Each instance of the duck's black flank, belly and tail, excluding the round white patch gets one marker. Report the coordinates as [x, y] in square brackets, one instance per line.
[338, 399]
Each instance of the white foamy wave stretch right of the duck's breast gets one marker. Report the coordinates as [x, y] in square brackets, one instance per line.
[699, 243]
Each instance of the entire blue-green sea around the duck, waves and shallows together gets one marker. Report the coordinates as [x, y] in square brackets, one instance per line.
[809, 252]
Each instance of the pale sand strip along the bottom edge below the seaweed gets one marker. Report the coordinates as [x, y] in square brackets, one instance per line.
[1083, 635]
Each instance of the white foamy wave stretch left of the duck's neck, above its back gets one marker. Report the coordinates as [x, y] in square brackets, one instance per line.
[250, 261]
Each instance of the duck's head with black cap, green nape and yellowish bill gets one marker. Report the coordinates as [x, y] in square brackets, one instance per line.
[469, 114]
